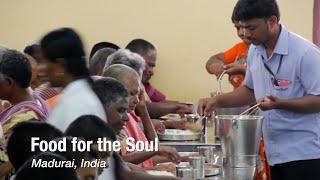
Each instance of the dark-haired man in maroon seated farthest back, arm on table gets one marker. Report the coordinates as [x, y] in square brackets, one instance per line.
[158, 106]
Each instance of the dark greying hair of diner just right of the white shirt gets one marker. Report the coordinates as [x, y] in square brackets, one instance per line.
[109, 90]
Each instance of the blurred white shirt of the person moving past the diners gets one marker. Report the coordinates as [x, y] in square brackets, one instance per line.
[76, 99]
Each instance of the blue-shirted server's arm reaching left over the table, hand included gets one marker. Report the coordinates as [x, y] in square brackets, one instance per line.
[239, 97]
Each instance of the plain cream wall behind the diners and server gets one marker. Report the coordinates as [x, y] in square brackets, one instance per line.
[185, 32]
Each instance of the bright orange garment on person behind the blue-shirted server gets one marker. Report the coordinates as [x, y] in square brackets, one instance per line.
[237, 53]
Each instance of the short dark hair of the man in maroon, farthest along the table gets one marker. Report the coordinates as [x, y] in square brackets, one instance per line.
[140, 46]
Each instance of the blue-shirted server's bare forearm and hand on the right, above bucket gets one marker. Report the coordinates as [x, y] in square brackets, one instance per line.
[305, 104]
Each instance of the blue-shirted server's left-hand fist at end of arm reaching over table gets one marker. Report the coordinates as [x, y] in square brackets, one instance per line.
[206, 106]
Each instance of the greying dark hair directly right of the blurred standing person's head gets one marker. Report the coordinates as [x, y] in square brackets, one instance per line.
[99, 59]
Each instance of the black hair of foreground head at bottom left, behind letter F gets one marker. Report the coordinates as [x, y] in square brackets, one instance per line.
[19, 143]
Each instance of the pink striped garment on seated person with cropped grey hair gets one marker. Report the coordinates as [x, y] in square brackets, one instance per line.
[132, 129]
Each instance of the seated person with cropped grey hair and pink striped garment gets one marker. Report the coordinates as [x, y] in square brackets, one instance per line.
[130, 79]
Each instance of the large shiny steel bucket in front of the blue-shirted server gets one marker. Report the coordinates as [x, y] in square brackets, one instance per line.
[239, 139]
